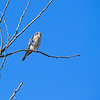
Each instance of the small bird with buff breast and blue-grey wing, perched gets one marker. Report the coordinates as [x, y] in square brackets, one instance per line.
[33, 44]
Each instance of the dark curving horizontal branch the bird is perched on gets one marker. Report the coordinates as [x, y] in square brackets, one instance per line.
[40, 53]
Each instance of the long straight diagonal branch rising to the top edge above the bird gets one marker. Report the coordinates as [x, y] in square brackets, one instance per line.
[28, 25]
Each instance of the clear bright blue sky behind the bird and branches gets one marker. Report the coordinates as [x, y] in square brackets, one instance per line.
[68, 27]
